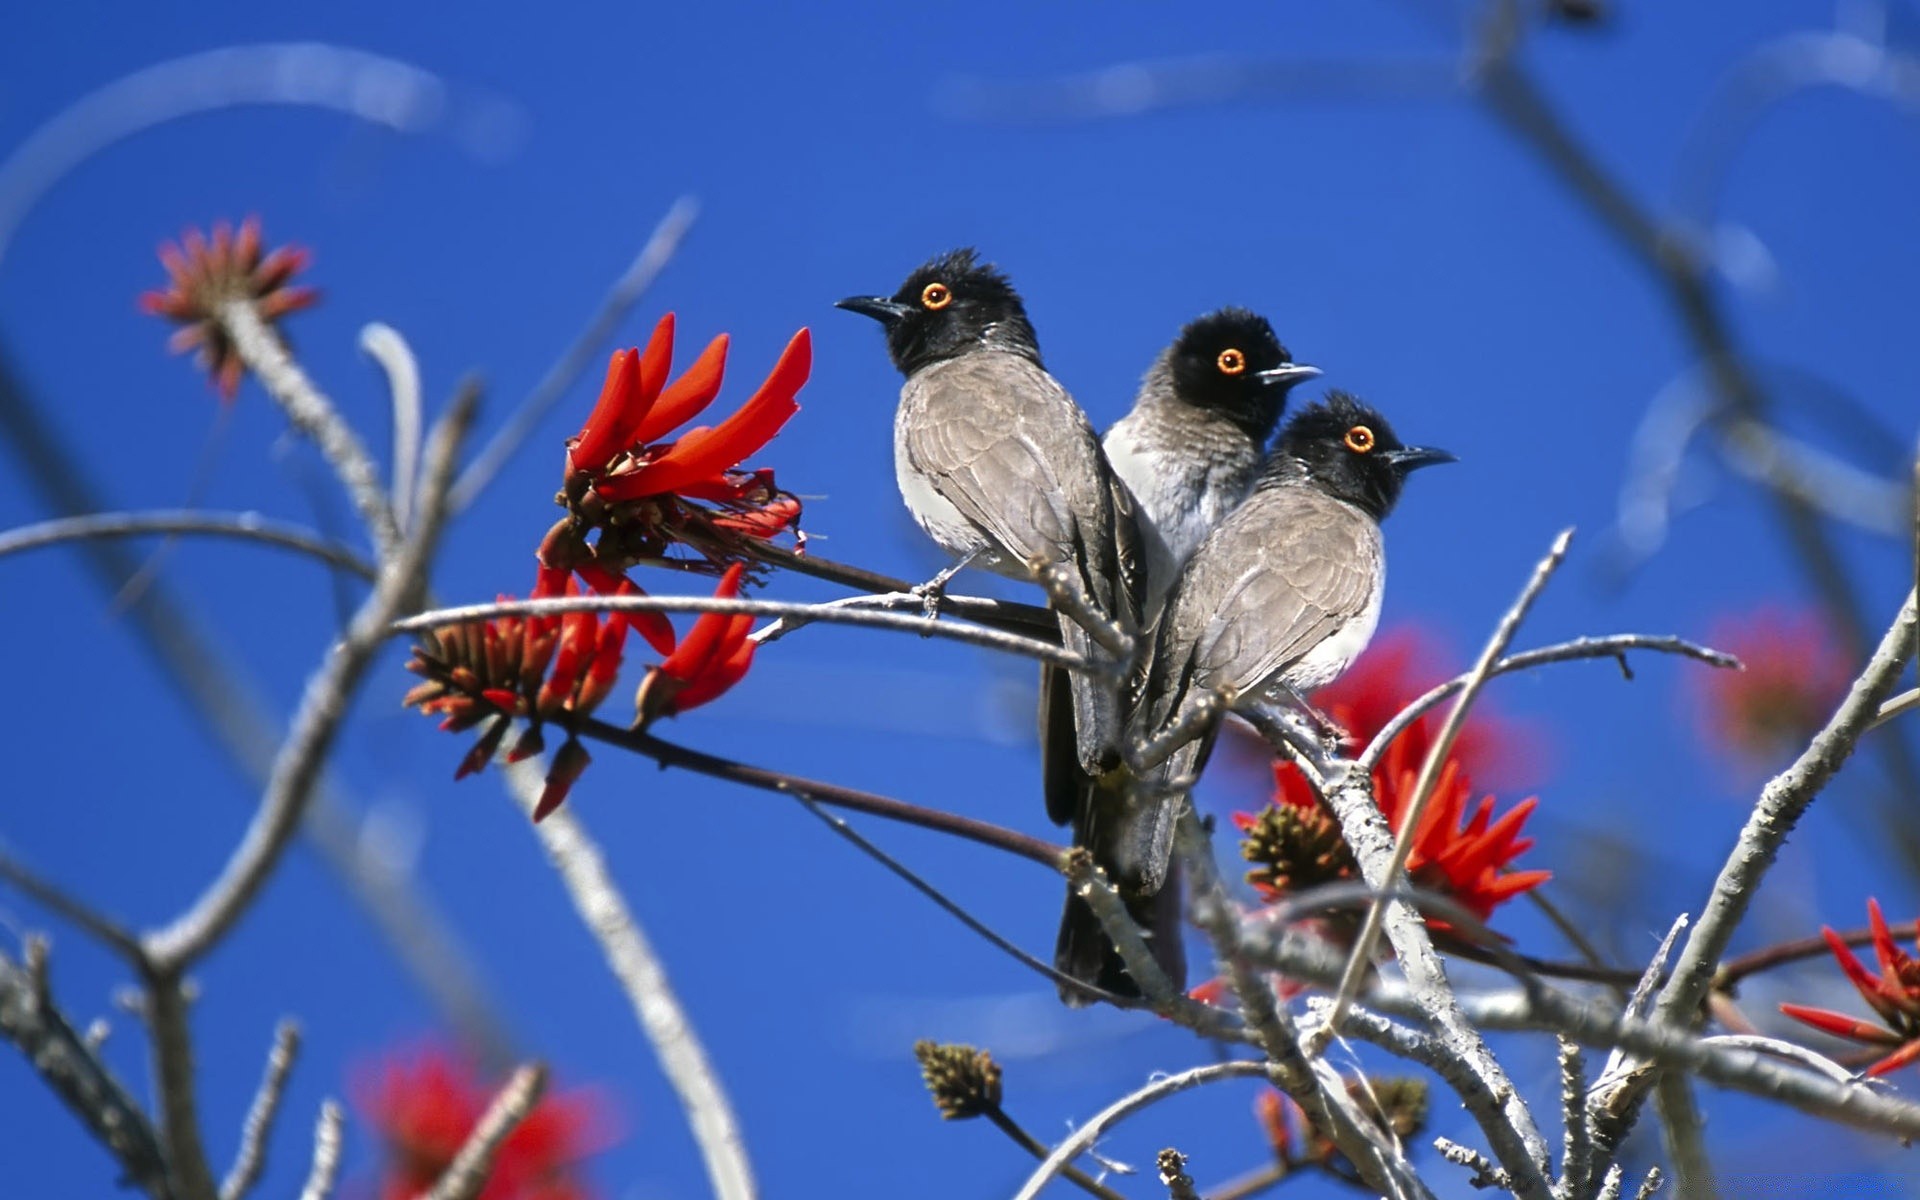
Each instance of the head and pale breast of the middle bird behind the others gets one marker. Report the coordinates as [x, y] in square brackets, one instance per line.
[1199, 431]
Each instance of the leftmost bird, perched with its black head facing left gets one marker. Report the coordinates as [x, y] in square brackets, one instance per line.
[1001, 468]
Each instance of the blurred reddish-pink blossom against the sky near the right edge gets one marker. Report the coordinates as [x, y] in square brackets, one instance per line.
[1792, 683]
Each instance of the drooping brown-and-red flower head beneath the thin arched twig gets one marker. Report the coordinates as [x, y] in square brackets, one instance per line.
[537, 669]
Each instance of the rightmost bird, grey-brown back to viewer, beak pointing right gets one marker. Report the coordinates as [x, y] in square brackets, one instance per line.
[1276, 602]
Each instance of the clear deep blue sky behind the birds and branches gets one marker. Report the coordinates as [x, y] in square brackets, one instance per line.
[1406, 247]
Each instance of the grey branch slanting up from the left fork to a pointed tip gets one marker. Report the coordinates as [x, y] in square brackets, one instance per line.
[322, 711]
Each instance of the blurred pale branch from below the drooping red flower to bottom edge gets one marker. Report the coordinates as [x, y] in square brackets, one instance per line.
[644, 980]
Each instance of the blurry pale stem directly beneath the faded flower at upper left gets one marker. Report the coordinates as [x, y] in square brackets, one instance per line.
[314, 416]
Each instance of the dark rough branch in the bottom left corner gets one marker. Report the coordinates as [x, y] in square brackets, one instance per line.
[76, 1074]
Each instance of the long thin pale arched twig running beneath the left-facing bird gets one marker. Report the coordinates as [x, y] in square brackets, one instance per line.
[969, 635]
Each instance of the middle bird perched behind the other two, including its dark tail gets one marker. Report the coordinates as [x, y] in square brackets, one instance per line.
[1189, 452]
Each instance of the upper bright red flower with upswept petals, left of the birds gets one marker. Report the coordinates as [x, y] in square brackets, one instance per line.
[636, 489]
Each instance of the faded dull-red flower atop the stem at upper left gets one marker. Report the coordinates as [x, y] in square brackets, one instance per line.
[204, 274]
